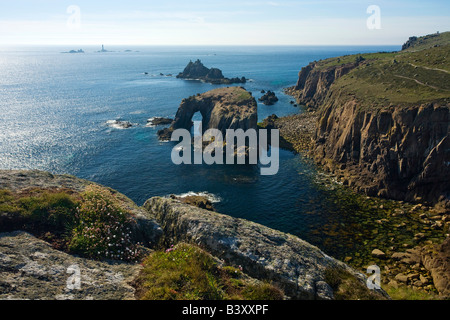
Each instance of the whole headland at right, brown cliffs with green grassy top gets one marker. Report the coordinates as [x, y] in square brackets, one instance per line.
[383, 119]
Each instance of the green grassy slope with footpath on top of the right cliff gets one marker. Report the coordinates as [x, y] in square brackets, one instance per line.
[418, 75]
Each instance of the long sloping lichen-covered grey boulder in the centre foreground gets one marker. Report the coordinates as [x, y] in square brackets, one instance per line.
[294, 265]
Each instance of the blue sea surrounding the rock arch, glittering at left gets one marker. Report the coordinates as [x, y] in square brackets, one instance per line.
[56, 111]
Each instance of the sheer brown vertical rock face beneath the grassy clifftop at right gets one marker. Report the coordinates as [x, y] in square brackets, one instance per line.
[400, 153]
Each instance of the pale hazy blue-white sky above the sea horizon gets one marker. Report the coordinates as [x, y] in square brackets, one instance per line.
[216, 22]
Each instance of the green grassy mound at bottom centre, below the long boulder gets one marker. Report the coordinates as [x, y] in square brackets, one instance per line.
[186, 272]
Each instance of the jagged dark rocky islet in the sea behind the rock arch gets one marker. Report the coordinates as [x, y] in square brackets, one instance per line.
[197, 71]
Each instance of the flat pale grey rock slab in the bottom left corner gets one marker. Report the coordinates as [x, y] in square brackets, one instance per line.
[32, 269]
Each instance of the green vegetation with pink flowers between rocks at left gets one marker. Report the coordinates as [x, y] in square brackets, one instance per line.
[92, 224]
